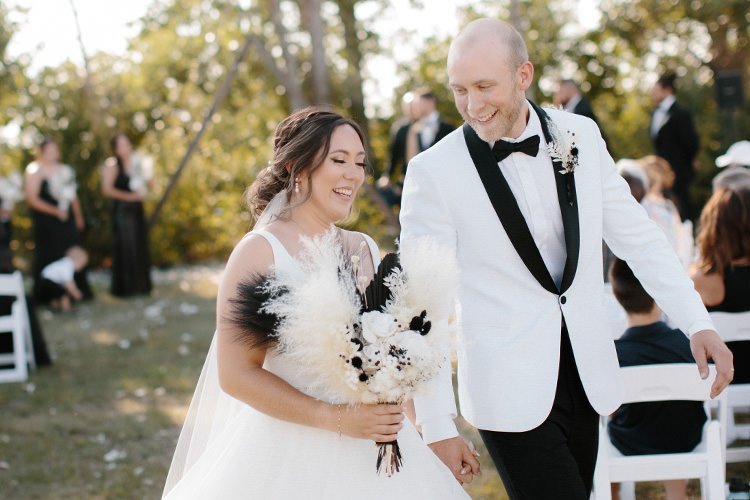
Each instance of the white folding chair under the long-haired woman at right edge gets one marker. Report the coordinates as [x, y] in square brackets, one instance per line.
[734, 327]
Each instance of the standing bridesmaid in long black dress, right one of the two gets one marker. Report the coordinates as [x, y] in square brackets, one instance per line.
[125, 181]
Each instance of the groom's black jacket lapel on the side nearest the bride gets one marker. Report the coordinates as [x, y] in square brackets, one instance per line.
[506, 207]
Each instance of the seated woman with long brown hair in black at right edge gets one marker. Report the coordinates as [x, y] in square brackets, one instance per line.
[722, 273]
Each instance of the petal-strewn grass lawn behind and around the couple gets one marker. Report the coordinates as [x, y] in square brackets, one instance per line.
[103, 421]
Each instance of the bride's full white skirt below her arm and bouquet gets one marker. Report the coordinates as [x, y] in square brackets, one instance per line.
[259, 457]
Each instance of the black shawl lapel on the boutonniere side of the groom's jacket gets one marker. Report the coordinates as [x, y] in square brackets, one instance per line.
[566, 196]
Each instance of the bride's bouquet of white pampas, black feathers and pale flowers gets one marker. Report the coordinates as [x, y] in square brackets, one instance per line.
[379, 344]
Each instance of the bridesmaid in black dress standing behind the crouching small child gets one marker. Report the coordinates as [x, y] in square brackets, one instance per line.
[50, 189]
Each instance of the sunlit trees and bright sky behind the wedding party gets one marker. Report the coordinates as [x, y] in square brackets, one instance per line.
[153, 69]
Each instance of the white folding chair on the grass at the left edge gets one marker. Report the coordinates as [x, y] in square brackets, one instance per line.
[16, 324]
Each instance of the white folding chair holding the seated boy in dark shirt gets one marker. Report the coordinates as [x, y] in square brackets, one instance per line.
[666, 382]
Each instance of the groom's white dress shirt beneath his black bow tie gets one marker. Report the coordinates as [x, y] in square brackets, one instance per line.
[532, 181]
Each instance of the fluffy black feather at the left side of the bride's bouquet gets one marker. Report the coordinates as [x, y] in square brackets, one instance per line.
[254, 327]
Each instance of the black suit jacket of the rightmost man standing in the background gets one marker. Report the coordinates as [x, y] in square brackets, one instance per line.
[677, 141]
